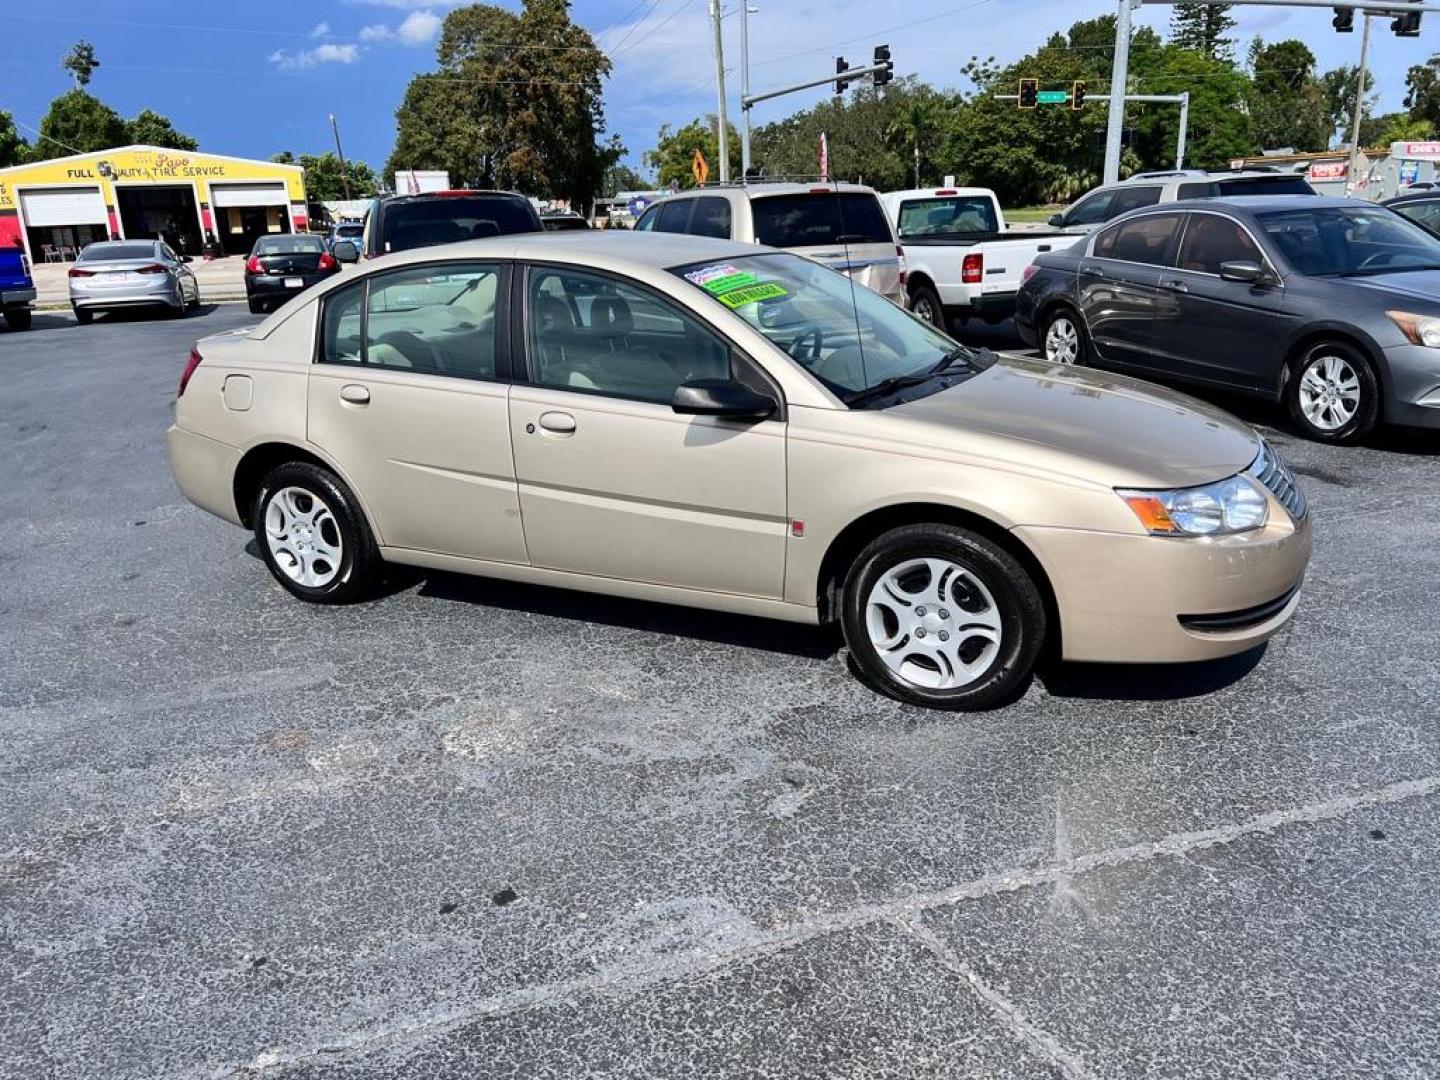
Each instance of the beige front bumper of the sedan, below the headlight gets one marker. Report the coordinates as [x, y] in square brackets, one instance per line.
[1146, 600]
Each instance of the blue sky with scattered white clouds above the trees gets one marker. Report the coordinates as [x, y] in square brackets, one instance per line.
[258, 77]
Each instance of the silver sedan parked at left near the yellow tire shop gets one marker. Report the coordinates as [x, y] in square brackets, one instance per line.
[126, 274]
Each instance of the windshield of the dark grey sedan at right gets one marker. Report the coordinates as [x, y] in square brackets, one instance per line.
[1343, 241]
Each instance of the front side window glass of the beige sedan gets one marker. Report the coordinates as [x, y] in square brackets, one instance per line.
[595, 335]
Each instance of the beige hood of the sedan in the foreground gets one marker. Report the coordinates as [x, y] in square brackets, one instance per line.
[1089, 426]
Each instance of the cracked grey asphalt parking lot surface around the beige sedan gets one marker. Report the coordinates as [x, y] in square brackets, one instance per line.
[479, 830]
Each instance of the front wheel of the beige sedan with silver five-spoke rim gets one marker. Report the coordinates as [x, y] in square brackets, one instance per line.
[941, 617]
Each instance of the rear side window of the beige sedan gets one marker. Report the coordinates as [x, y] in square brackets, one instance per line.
[434, 320]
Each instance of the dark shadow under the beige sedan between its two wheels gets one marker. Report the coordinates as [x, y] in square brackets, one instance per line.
[794, 640]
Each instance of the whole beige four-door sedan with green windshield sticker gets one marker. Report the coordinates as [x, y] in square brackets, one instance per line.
[701, 423]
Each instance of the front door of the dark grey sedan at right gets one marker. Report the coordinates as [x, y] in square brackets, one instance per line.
[1225, 332]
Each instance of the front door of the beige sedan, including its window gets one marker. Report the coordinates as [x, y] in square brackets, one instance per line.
[613, 482]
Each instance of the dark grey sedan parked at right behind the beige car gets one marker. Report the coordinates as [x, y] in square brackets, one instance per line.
[1330, 306]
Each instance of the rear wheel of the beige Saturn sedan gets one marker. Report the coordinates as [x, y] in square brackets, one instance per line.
[313, 536]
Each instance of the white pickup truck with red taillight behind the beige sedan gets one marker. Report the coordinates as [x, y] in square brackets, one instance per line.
[961, 261]
